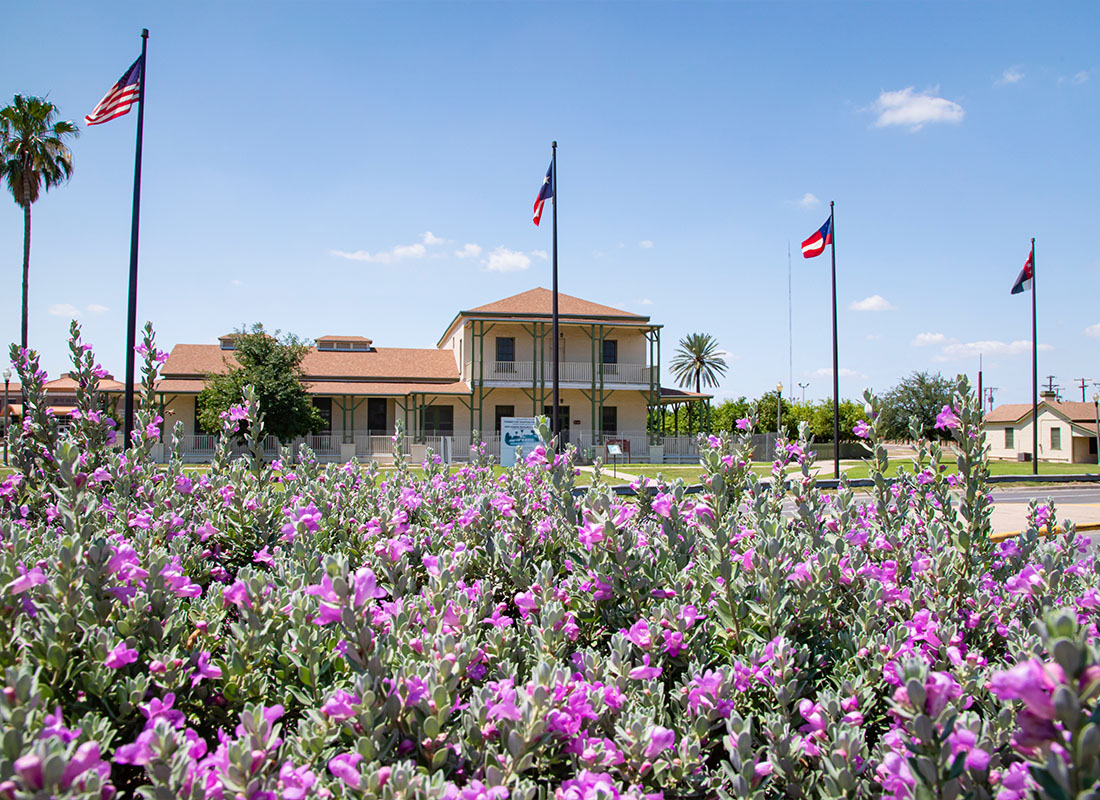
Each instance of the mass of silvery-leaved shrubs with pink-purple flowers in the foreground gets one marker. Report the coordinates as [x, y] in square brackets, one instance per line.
[292, 630]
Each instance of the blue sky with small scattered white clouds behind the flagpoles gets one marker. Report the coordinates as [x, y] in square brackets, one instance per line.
[370, 169]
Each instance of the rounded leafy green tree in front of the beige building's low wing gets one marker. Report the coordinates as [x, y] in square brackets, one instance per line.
[273, 367]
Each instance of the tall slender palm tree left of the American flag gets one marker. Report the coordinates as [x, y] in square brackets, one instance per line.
[34, 156]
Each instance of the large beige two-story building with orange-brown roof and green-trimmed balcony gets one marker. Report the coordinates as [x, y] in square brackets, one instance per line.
[492, 361]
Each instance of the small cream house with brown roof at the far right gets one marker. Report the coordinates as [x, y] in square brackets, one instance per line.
[1068, 432]
